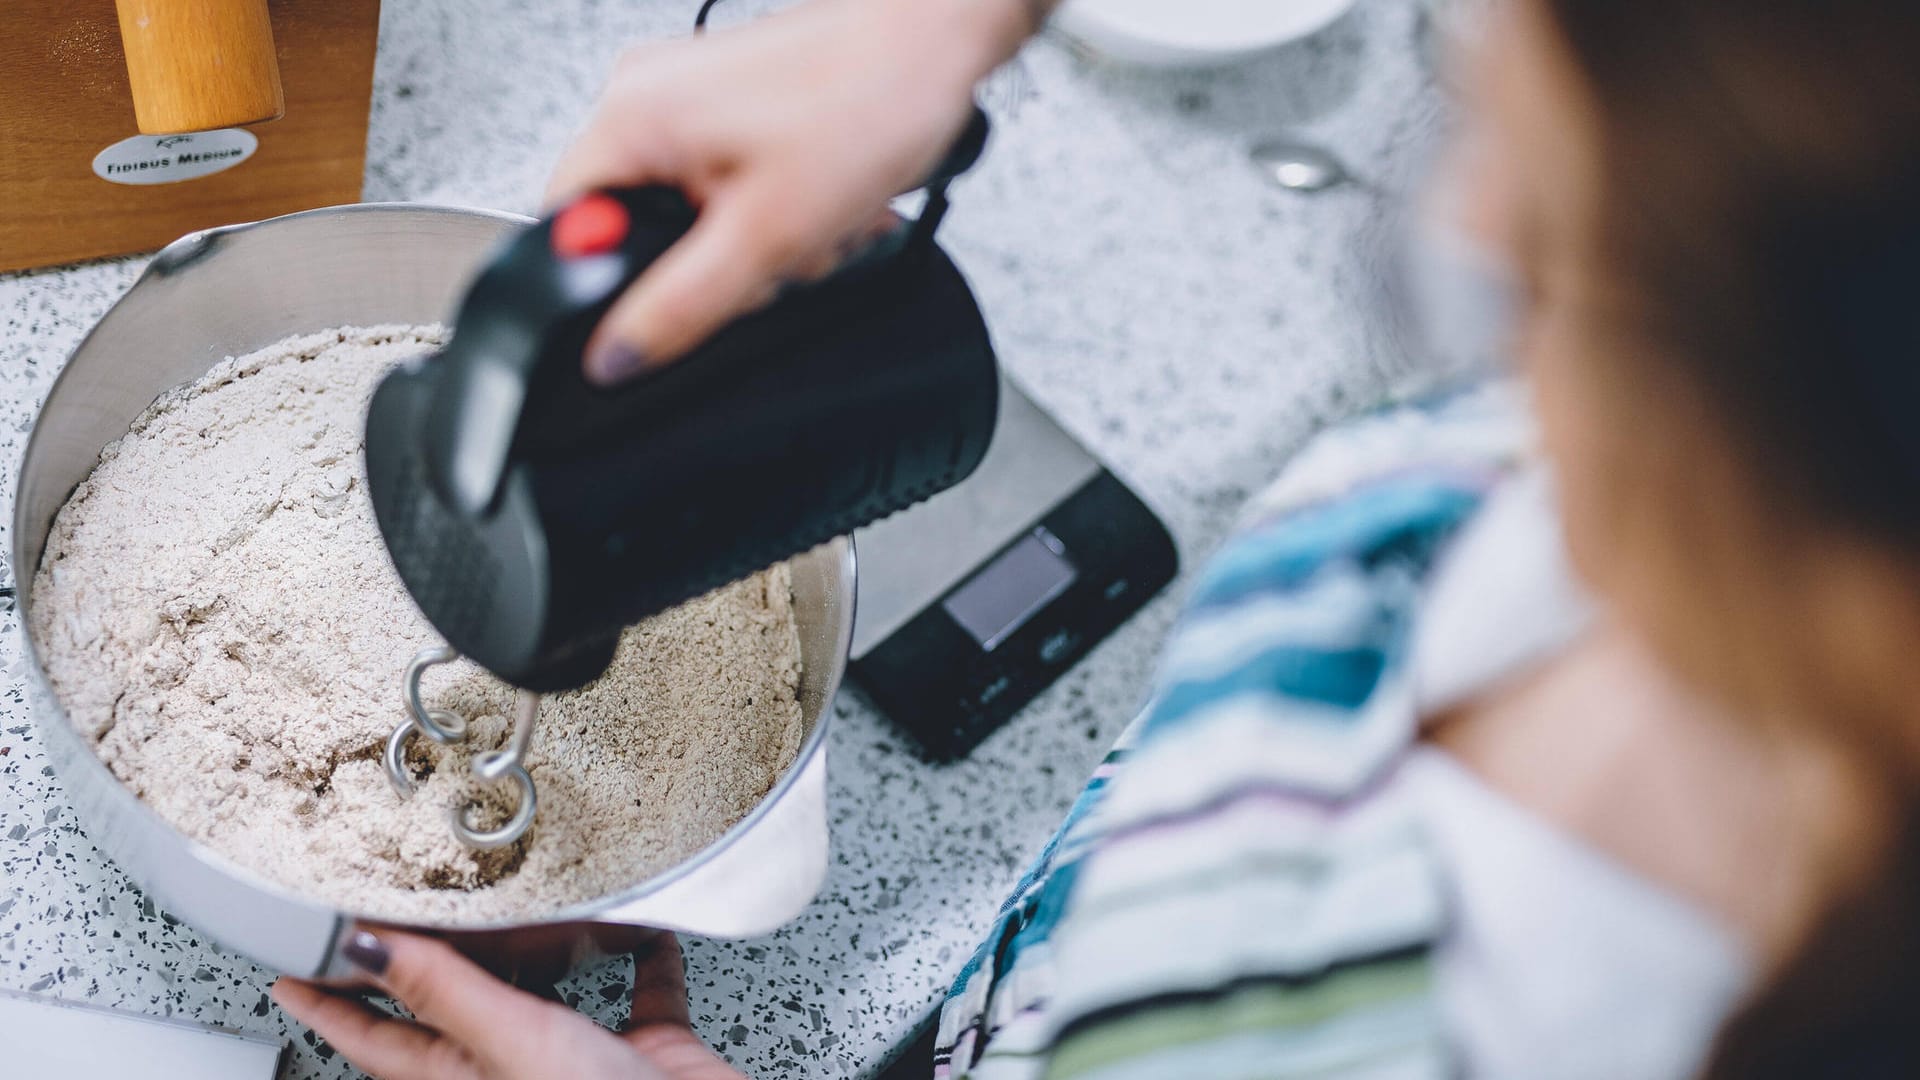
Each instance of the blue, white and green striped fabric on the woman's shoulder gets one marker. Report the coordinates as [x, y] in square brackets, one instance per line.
[1226, 900]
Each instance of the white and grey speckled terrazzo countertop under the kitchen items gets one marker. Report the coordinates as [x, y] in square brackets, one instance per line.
[1180, 316]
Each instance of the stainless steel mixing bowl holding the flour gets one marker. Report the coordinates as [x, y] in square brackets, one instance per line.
[231, 291]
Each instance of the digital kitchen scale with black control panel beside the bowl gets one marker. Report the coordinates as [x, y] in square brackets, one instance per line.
[976, 601]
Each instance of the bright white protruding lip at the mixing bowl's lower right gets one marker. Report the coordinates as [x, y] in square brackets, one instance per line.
[757, 883]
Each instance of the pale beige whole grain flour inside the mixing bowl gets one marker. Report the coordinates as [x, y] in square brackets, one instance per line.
[218, 614]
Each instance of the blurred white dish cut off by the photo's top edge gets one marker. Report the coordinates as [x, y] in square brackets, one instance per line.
[1193, 32]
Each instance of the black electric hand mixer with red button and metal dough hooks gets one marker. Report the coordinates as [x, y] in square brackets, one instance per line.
[535, 516]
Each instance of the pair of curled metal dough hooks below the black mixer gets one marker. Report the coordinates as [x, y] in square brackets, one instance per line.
[491, 766]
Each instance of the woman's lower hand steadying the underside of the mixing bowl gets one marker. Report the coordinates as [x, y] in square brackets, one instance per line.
[469, 1025]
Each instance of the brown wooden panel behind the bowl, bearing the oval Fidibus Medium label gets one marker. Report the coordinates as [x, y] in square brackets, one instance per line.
[66, 97]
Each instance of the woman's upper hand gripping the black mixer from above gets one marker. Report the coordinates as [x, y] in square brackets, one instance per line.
[790, 134]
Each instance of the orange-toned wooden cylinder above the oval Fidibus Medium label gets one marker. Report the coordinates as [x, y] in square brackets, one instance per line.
[201, 64]
